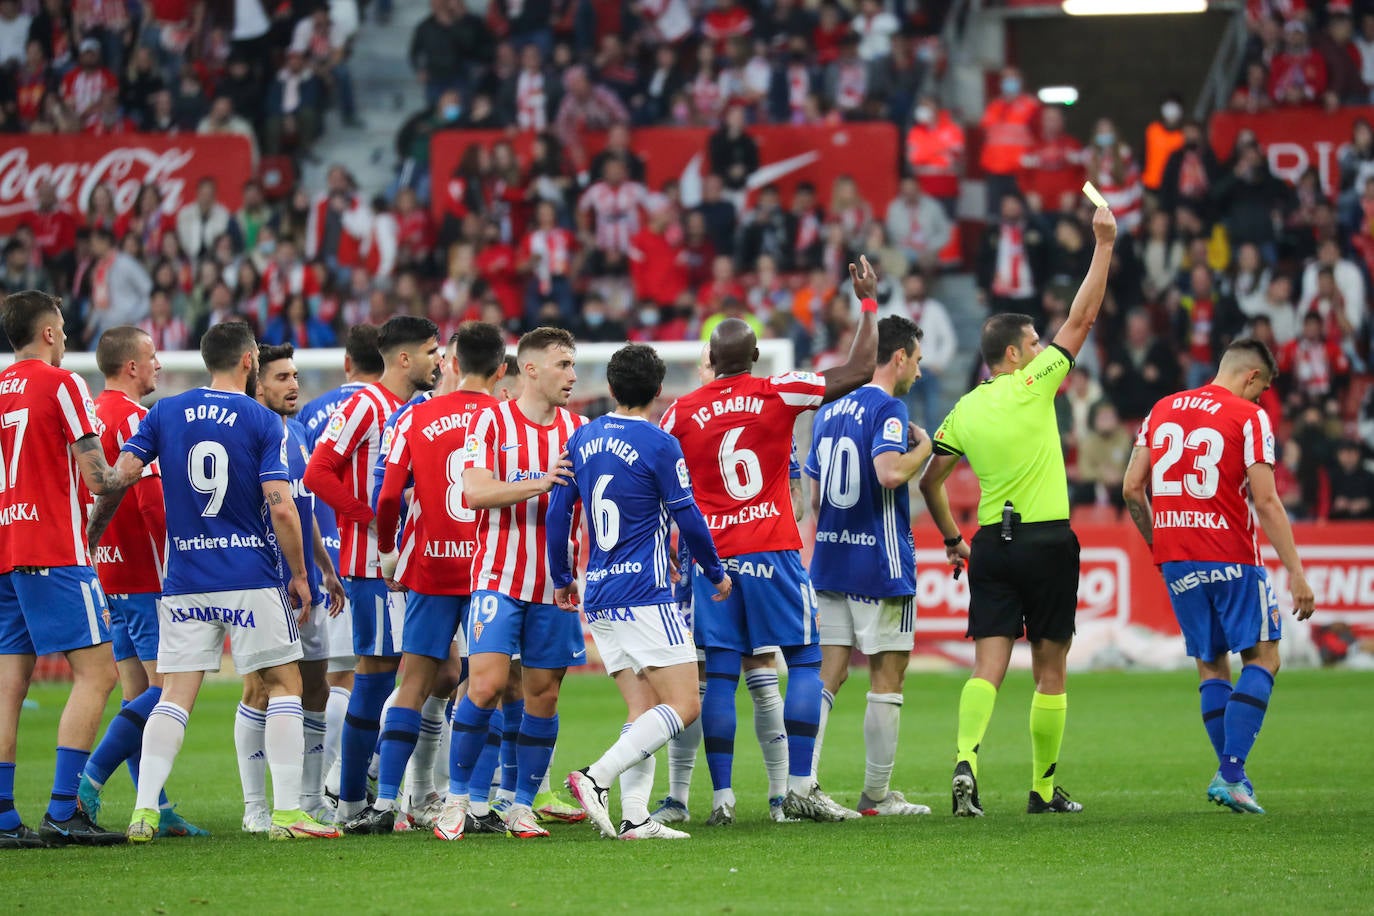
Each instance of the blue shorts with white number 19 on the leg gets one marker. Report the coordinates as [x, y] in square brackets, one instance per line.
[542, 635]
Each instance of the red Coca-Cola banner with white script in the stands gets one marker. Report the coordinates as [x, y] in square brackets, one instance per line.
[78, 164]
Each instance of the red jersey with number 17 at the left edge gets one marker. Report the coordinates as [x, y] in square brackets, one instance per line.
[43, 411]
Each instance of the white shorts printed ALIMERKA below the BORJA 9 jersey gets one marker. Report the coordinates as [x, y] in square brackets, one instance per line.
[259, 623]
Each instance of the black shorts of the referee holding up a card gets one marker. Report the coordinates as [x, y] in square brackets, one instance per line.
[1028, 586]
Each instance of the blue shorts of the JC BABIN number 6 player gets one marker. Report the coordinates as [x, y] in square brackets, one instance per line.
[772, 604]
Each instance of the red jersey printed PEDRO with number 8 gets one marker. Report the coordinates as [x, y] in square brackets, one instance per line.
[429, 448]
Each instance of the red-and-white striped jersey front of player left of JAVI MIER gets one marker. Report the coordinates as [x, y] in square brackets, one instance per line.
[510, 542]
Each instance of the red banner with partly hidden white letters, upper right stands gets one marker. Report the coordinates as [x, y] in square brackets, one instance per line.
[1294, 139]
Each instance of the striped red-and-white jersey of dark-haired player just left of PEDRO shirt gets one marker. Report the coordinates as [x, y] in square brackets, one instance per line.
[354, 435]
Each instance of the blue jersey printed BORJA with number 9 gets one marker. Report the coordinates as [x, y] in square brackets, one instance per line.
[216, 450]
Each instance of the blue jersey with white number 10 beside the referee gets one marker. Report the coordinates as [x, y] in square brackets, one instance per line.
[864, 529]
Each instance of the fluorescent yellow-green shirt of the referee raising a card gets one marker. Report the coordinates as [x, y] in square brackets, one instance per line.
[1008, 431]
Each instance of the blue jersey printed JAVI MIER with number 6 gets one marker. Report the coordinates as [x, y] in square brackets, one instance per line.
[630, 477]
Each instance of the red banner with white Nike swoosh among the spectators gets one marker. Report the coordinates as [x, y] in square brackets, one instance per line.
[787, 156]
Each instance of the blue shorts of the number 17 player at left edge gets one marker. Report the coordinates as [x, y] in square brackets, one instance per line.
[54, 610]
